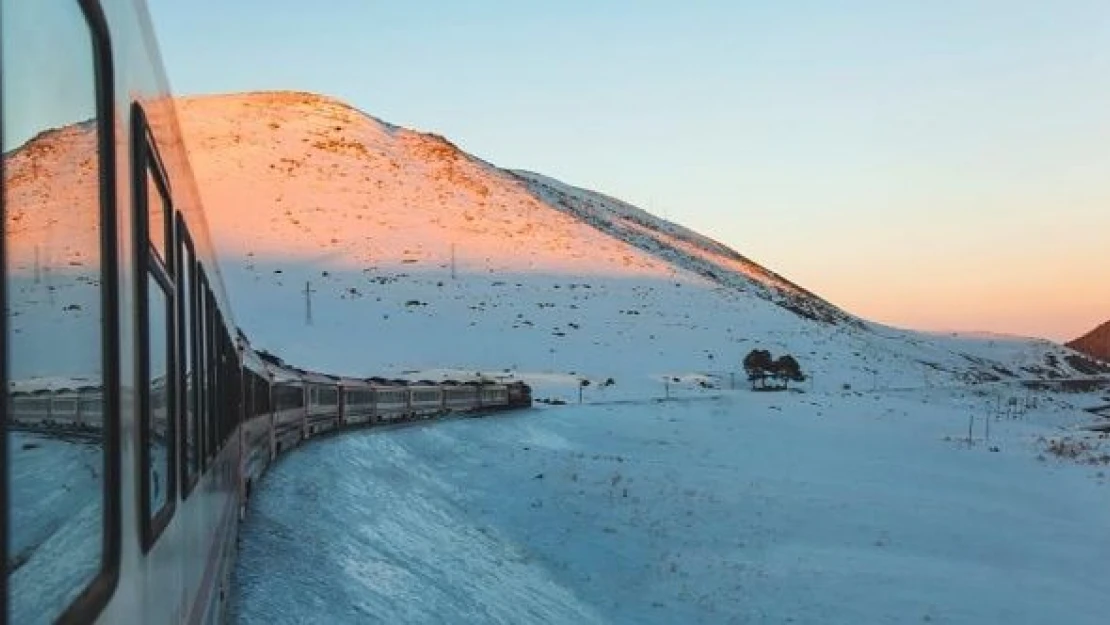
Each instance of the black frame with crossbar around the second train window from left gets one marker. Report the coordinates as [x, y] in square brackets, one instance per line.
[147, 167]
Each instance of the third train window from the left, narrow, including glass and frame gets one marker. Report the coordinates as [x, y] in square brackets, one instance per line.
[187, 378]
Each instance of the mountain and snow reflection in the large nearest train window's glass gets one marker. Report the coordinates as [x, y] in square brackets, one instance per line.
[53, 281]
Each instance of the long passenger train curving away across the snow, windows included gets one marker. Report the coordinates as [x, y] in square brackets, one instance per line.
[137, 418]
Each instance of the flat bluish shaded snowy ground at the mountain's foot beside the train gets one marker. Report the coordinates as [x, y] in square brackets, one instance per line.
[731, 508]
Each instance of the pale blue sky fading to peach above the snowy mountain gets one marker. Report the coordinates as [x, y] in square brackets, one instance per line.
[937, 165]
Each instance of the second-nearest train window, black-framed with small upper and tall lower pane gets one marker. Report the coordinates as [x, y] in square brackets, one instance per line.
[155, 291]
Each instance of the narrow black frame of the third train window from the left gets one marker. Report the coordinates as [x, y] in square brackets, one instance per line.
[188, 345]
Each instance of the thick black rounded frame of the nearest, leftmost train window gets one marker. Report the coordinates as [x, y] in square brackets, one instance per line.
[93, 600]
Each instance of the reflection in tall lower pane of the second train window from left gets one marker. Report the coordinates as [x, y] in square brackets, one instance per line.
[158, 459]
